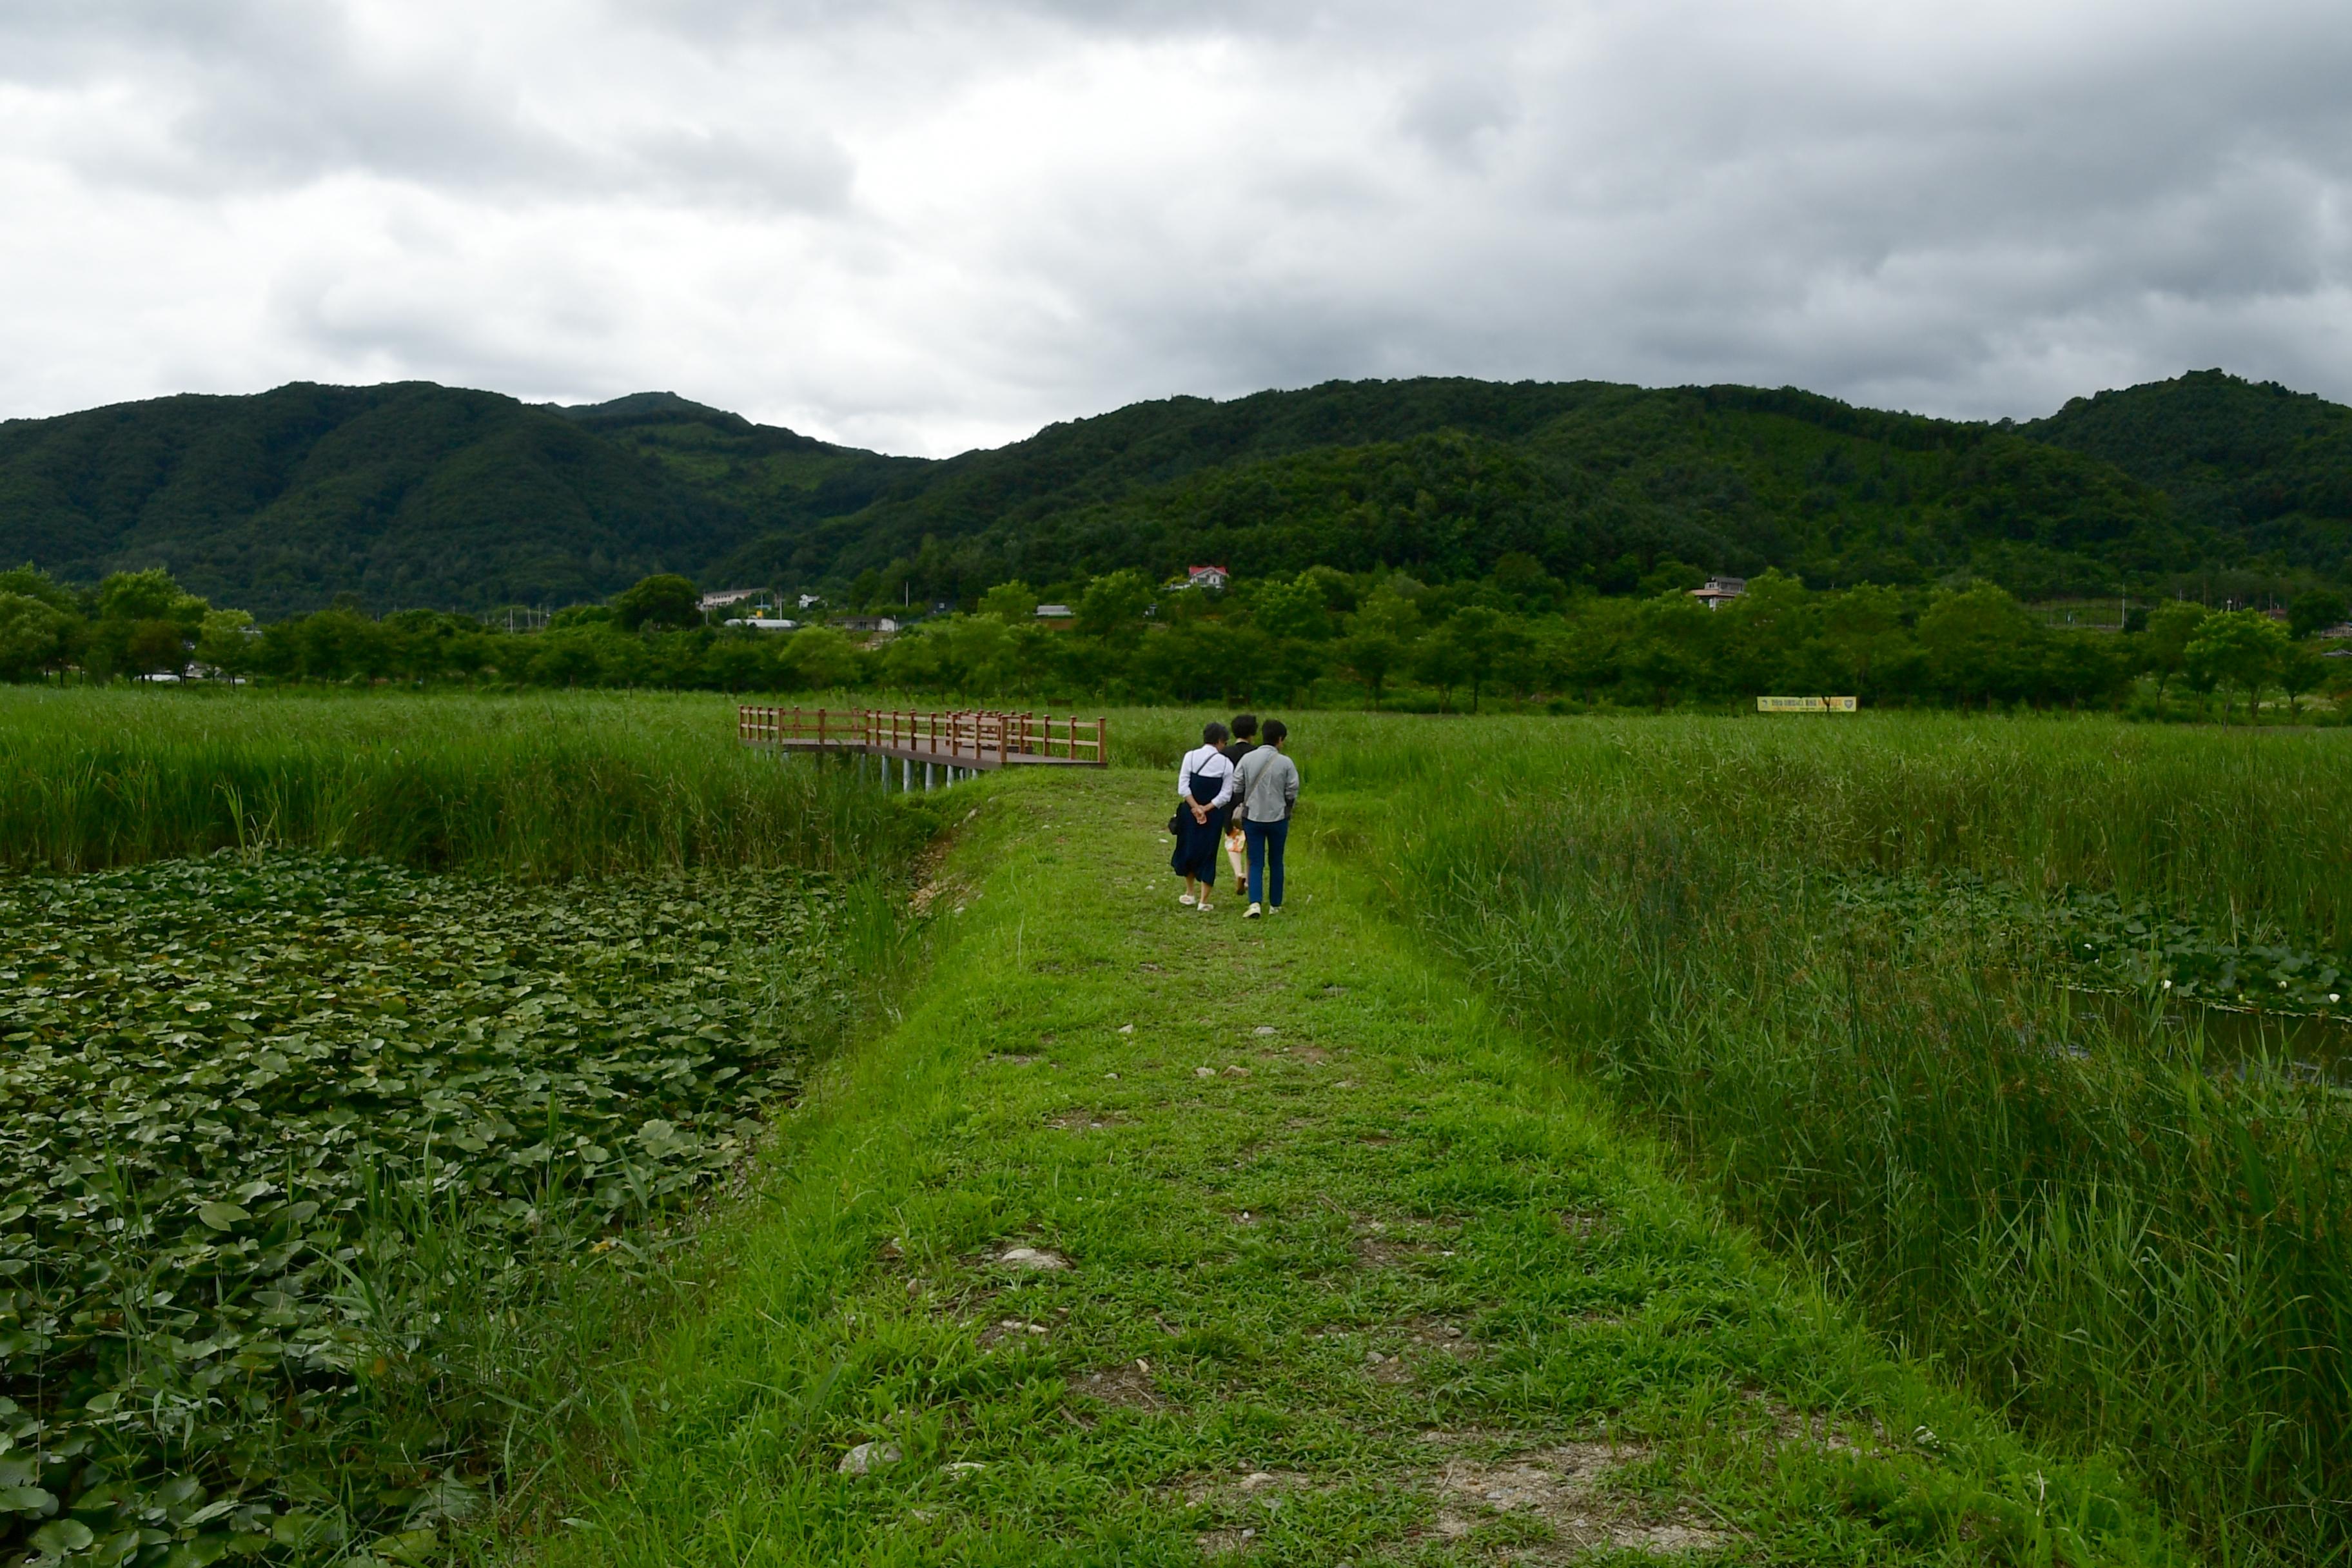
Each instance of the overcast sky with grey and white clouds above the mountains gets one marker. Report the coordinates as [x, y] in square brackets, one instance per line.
[930, 227]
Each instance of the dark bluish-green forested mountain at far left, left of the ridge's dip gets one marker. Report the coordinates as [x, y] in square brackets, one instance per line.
[403, 495]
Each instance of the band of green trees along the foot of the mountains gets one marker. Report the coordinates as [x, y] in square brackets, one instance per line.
[1323, 636]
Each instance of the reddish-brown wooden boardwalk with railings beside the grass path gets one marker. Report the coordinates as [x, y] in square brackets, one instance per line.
[970, 742]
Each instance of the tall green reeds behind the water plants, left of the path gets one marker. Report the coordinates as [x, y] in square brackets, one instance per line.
[526, 786]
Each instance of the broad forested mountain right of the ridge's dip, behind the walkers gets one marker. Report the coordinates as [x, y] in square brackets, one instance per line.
[1438, 478]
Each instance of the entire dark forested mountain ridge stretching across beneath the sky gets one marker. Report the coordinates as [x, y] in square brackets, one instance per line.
[448, 497]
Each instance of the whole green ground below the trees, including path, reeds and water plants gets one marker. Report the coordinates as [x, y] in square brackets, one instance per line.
[530, 1127]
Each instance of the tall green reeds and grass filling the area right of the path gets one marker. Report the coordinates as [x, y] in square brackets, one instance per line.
[1772, 942]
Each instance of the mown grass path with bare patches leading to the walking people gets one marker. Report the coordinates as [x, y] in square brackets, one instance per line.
[1349, 1278]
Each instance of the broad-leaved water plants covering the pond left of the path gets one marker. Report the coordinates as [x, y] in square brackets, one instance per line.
[286, 1144]
